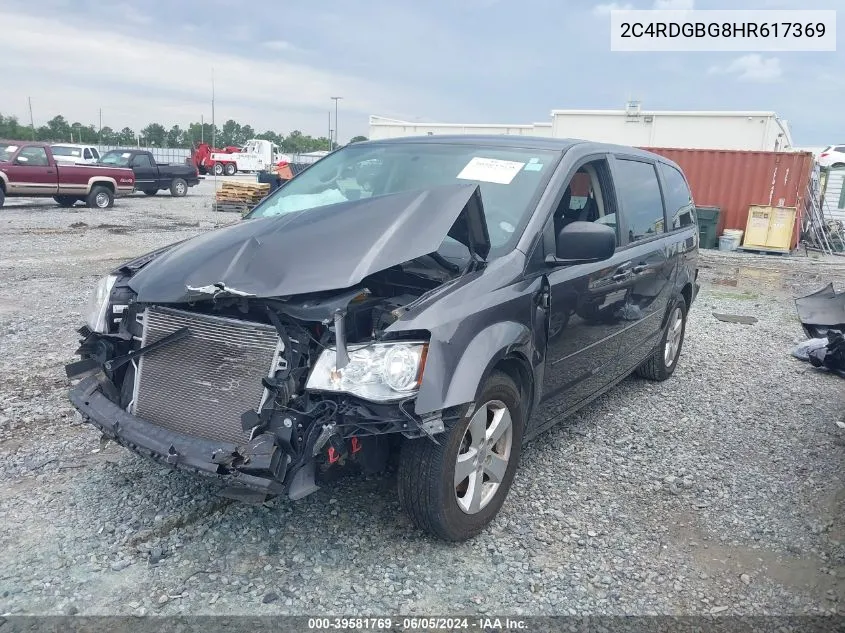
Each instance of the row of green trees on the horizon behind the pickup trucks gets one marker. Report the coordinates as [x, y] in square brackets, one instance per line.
[59, 130]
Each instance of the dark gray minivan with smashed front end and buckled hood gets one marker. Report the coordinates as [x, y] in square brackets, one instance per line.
[433, 301]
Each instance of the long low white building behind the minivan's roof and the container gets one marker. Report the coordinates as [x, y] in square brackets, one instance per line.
[753, 130]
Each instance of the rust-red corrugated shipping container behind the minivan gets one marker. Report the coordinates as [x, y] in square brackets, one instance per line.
[734, 180]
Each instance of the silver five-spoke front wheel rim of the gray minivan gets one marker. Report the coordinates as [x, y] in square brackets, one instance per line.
[483, 456]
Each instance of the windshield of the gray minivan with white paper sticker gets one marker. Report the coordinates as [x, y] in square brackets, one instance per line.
[510, 179]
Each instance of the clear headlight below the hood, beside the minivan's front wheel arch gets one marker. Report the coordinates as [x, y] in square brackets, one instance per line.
[380, 371]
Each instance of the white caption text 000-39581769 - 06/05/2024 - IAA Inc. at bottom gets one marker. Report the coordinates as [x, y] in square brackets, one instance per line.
[418, 624]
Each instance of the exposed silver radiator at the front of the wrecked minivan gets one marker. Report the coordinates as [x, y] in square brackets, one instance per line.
[201, 384]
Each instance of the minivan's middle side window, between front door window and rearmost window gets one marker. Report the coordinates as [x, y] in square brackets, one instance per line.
[639, 192]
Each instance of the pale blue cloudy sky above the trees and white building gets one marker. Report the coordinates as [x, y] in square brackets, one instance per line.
[277, 63]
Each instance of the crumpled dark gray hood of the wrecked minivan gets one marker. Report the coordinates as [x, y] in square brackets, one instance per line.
[326, 248]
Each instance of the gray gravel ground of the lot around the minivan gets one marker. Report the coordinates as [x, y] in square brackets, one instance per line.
[718, 491]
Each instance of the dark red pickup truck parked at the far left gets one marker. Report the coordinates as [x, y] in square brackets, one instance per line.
[29, 170]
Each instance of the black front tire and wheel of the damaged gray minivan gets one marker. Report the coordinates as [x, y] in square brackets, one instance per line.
[426, 480]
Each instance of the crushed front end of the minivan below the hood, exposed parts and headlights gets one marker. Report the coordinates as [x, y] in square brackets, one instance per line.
[268, 395]
